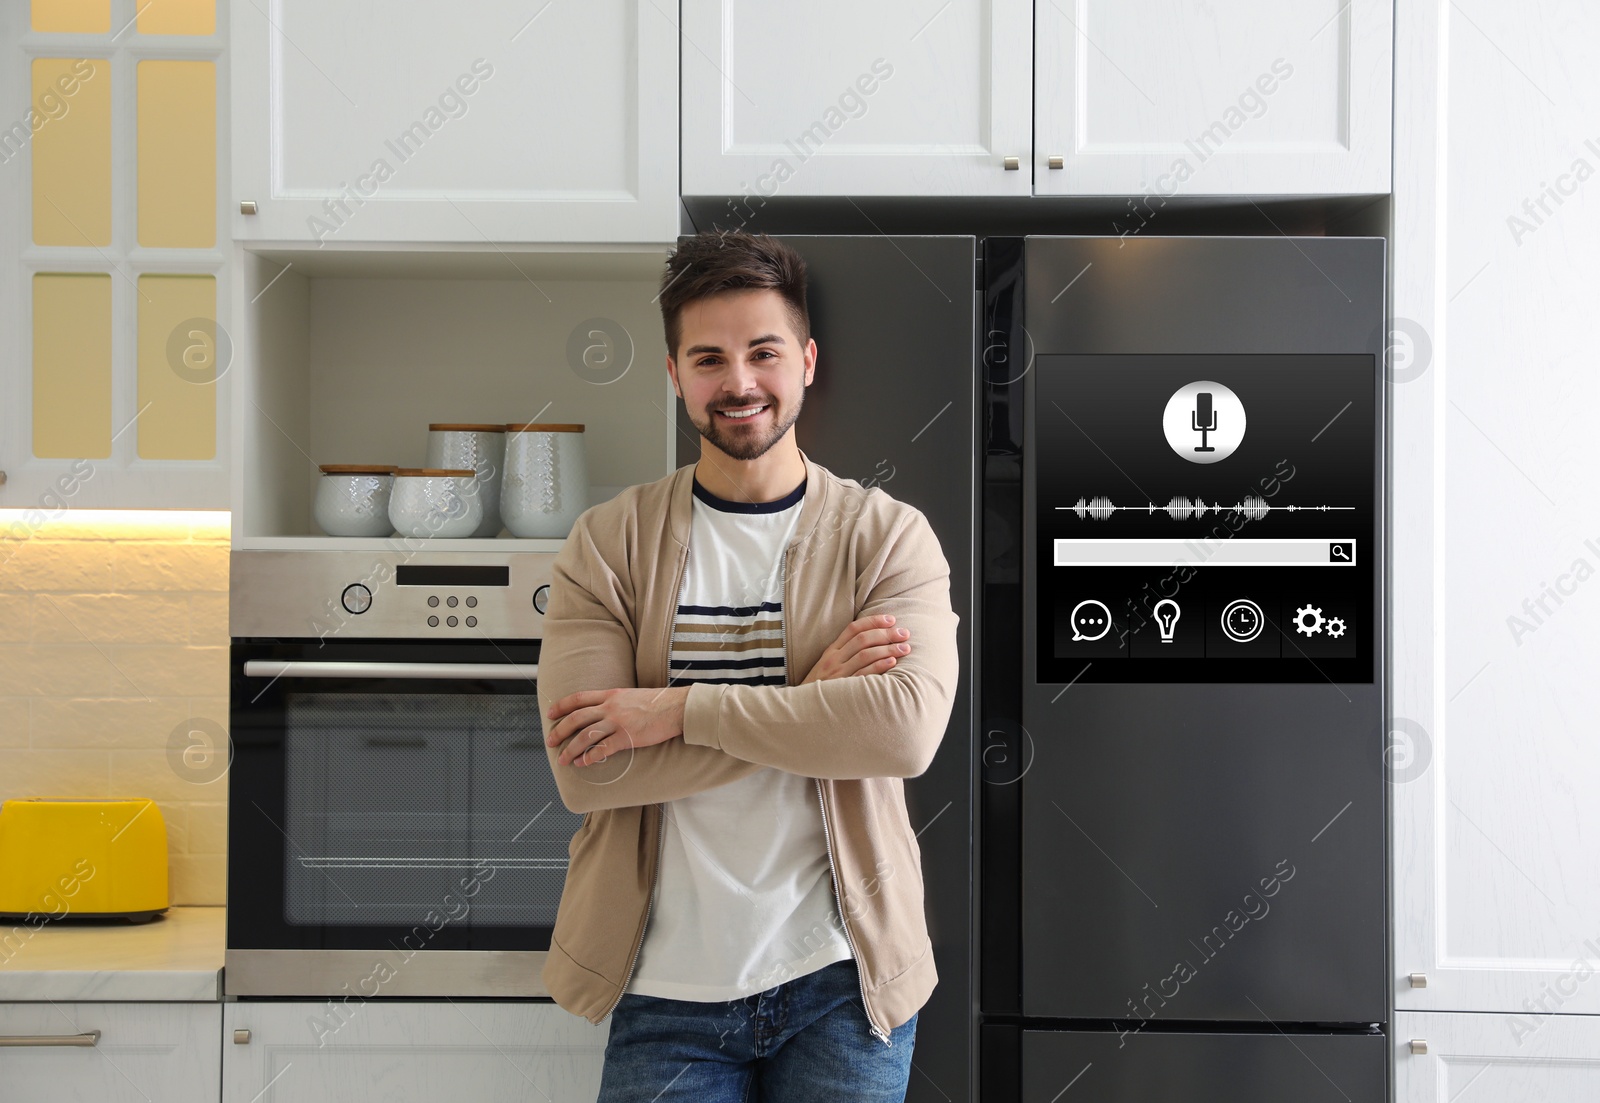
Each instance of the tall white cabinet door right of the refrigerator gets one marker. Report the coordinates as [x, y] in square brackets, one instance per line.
[1497, 526]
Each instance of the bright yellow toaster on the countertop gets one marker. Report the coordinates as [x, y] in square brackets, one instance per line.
[65, 859]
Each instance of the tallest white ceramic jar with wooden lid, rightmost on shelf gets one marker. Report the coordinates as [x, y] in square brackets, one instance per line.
[546, 479]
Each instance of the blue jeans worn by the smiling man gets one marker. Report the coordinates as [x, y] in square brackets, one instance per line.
[807, 1040]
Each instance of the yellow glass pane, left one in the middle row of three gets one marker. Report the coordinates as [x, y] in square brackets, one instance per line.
[71, 122]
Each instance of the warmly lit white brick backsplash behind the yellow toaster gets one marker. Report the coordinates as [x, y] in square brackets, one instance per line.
[106, 648]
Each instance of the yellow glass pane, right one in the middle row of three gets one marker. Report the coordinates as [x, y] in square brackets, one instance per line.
[177, 154]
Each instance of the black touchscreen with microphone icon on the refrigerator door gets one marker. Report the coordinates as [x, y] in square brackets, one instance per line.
[1206, 518]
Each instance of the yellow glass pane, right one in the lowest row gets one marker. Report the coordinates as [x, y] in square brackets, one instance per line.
[178, 367]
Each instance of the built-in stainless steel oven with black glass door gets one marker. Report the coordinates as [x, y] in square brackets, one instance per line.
[394, 828]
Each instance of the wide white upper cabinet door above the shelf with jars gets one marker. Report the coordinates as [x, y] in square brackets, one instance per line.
[409, 121]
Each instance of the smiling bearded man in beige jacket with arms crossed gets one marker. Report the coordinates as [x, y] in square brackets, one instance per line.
[742, 662]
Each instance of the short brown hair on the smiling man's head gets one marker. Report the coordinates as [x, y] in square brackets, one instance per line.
[732, 262]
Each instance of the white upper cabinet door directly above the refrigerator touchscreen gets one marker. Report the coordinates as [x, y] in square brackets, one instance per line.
[1214, 98]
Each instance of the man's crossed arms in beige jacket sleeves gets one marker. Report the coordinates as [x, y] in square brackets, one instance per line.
[882, 724]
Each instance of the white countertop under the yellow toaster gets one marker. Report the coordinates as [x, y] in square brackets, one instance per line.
[174, 958]
